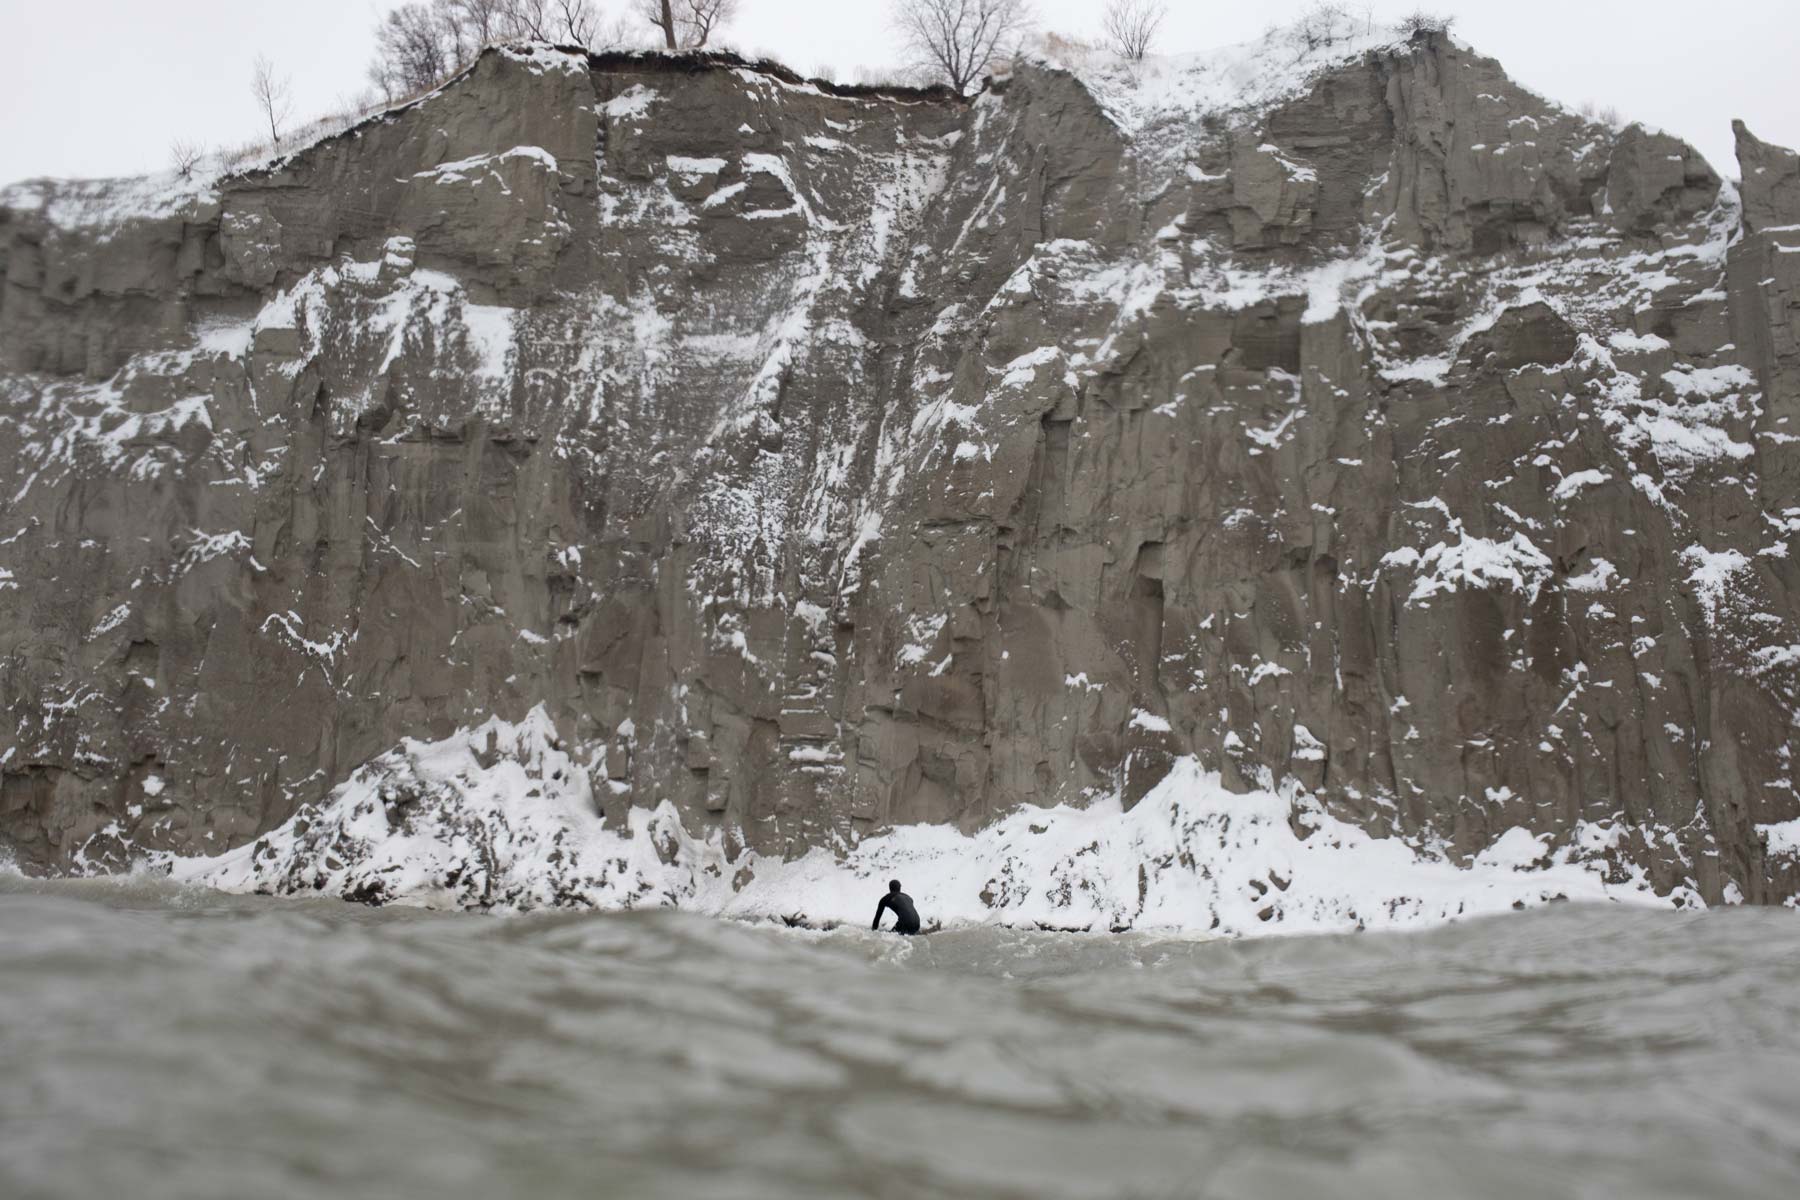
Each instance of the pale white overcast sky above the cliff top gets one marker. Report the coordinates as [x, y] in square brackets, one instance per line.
[102, 87]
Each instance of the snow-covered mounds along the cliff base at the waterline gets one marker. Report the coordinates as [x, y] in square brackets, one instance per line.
[505, 818]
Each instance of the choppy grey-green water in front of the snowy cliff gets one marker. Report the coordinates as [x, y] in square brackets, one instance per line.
[186, 1044]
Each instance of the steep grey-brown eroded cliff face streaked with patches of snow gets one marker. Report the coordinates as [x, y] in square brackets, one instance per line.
[1356, 424]
